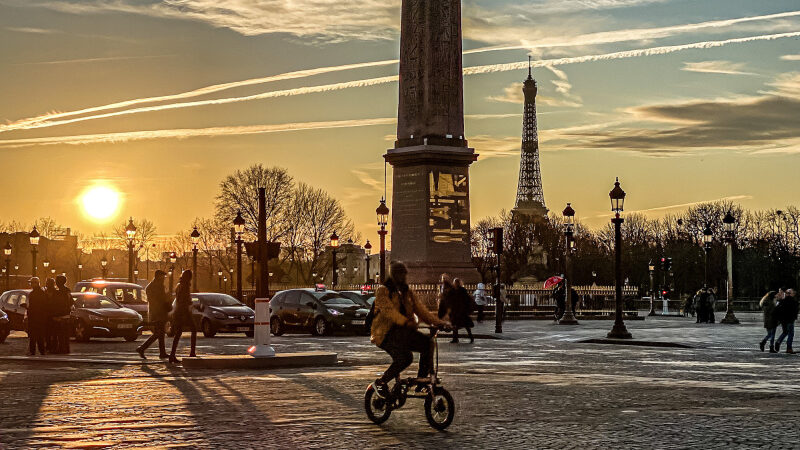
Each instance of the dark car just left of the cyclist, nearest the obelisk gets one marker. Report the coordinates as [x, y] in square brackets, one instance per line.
[319, 311]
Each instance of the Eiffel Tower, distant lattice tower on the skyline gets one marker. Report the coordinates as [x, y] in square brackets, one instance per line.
[530, 198]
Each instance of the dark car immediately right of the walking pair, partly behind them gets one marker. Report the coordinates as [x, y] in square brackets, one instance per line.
[219, 313]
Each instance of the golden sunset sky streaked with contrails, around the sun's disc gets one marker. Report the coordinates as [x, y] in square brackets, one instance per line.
[685, 100]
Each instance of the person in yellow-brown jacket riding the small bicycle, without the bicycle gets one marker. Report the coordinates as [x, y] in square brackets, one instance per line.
[394, 327]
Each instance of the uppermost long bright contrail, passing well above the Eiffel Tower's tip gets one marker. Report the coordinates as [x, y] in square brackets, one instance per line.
[587, 39]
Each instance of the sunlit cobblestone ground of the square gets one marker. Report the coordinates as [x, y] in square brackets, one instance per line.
[539, 387]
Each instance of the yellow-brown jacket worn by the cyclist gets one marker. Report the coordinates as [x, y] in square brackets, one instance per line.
[387, 313]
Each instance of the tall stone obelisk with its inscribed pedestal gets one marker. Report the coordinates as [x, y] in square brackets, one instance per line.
[431, 158]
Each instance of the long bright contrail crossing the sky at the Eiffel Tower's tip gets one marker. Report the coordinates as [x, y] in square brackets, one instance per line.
[475, 70]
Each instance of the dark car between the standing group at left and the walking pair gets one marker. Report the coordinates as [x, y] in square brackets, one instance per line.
[95, 315]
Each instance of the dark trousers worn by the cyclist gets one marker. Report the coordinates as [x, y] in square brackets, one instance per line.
[399, 343]
